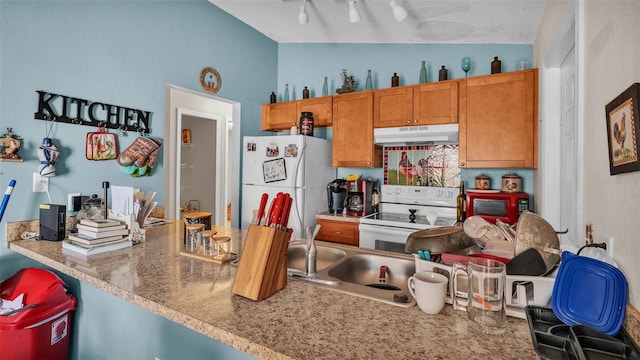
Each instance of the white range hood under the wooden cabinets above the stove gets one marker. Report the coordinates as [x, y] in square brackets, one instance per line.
[447, 133]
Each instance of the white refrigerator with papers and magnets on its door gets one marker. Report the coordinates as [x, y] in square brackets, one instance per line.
[295, 164]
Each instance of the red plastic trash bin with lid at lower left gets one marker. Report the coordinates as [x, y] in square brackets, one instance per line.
[43, 330]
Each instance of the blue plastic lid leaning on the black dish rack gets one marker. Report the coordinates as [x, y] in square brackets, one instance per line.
[589, 292]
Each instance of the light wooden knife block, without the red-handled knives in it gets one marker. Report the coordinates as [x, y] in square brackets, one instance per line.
[262, 270]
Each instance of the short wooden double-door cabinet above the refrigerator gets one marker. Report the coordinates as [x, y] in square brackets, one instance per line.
[283, 115]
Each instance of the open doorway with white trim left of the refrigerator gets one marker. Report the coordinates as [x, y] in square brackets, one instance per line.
[198, 173]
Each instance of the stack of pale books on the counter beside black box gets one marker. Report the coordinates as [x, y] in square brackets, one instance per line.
[98, 236]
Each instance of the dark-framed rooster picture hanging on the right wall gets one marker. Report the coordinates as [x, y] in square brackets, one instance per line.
[622, 131]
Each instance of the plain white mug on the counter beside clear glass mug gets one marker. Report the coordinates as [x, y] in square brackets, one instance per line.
[429, 289]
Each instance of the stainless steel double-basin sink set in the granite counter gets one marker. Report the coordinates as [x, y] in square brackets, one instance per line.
[354, 271]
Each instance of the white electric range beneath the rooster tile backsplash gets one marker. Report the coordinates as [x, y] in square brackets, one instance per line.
[389, 229]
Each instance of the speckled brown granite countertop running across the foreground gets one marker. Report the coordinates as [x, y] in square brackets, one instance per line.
[301, 321]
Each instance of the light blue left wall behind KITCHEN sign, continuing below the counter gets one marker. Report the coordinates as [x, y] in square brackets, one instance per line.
[123, 53]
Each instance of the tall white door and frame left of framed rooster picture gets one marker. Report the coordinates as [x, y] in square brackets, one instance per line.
[559, 185]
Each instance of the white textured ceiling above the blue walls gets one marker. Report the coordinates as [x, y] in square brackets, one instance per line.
[428, 22]
